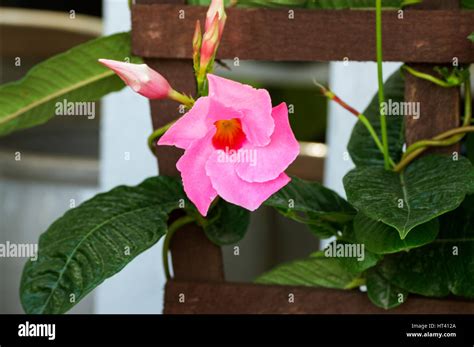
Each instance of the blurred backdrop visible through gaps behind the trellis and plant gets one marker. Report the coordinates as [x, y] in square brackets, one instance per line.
[46, 170]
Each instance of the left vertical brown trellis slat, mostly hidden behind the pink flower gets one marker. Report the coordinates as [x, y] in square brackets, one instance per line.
[194, 256]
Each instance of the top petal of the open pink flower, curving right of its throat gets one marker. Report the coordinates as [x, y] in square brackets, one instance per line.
[255, 104]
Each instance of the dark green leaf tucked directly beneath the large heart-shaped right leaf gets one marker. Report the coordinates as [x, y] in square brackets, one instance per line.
[382, 239]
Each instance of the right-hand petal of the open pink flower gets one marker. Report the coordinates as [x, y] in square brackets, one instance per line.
[270, 161]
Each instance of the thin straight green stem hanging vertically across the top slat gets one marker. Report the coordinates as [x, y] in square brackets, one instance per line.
[383, 120]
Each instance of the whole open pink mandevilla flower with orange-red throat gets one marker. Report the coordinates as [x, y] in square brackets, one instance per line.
[236, 146]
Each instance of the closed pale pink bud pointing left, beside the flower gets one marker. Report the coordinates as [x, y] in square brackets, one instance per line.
[141, 78]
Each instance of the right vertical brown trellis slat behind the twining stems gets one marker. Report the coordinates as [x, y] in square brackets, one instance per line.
[439, 107]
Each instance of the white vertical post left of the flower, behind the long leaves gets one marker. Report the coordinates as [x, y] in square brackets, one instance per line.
[126, 124]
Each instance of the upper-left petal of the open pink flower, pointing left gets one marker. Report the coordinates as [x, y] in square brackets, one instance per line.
[195, 124]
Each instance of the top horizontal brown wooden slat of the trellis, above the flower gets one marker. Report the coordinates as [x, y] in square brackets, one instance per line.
[268, 34]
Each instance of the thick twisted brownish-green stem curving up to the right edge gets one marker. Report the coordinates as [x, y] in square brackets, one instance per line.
[447, 138]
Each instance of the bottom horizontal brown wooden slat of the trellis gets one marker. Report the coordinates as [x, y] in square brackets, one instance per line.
[243, 298]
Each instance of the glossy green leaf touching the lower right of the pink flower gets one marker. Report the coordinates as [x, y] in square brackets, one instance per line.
[323, 210]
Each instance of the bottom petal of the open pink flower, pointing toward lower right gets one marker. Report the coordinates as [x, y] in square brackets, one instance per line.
[233, 189]
